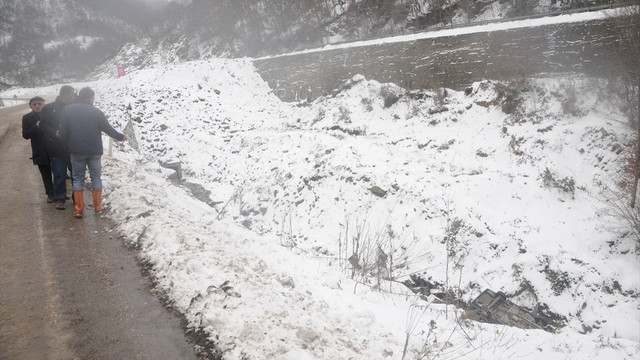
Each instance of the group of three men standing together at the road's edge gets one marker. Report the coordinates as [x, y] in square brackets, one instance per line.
[67, 134]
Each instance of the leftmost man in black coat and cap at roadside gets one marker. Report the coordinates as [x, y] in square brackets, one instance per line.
[31, 129]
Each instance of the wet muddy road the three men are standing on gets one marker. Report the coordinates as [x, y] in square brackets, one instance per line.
[69, 289]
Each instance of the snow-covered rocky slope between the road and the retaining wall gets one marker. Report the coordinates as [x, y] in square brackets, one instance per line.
[499, 187]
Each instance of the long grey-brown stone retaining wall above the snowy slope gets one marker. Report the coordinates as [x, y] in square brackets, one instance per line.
[453, 61]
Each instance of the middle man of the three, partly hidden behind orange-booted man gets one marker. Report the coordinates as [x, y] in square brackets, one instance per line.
[58, 152]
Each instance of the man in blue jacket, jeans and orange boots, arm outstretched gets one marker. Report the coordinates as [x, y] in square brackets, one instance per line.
[82, 126]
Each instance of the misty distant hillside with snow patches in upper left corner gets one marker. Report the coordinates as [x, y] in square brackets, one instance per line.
[42, 42]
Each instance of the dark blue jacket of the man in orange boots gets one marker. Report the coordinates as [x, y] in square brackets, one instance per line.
[82, 125]
